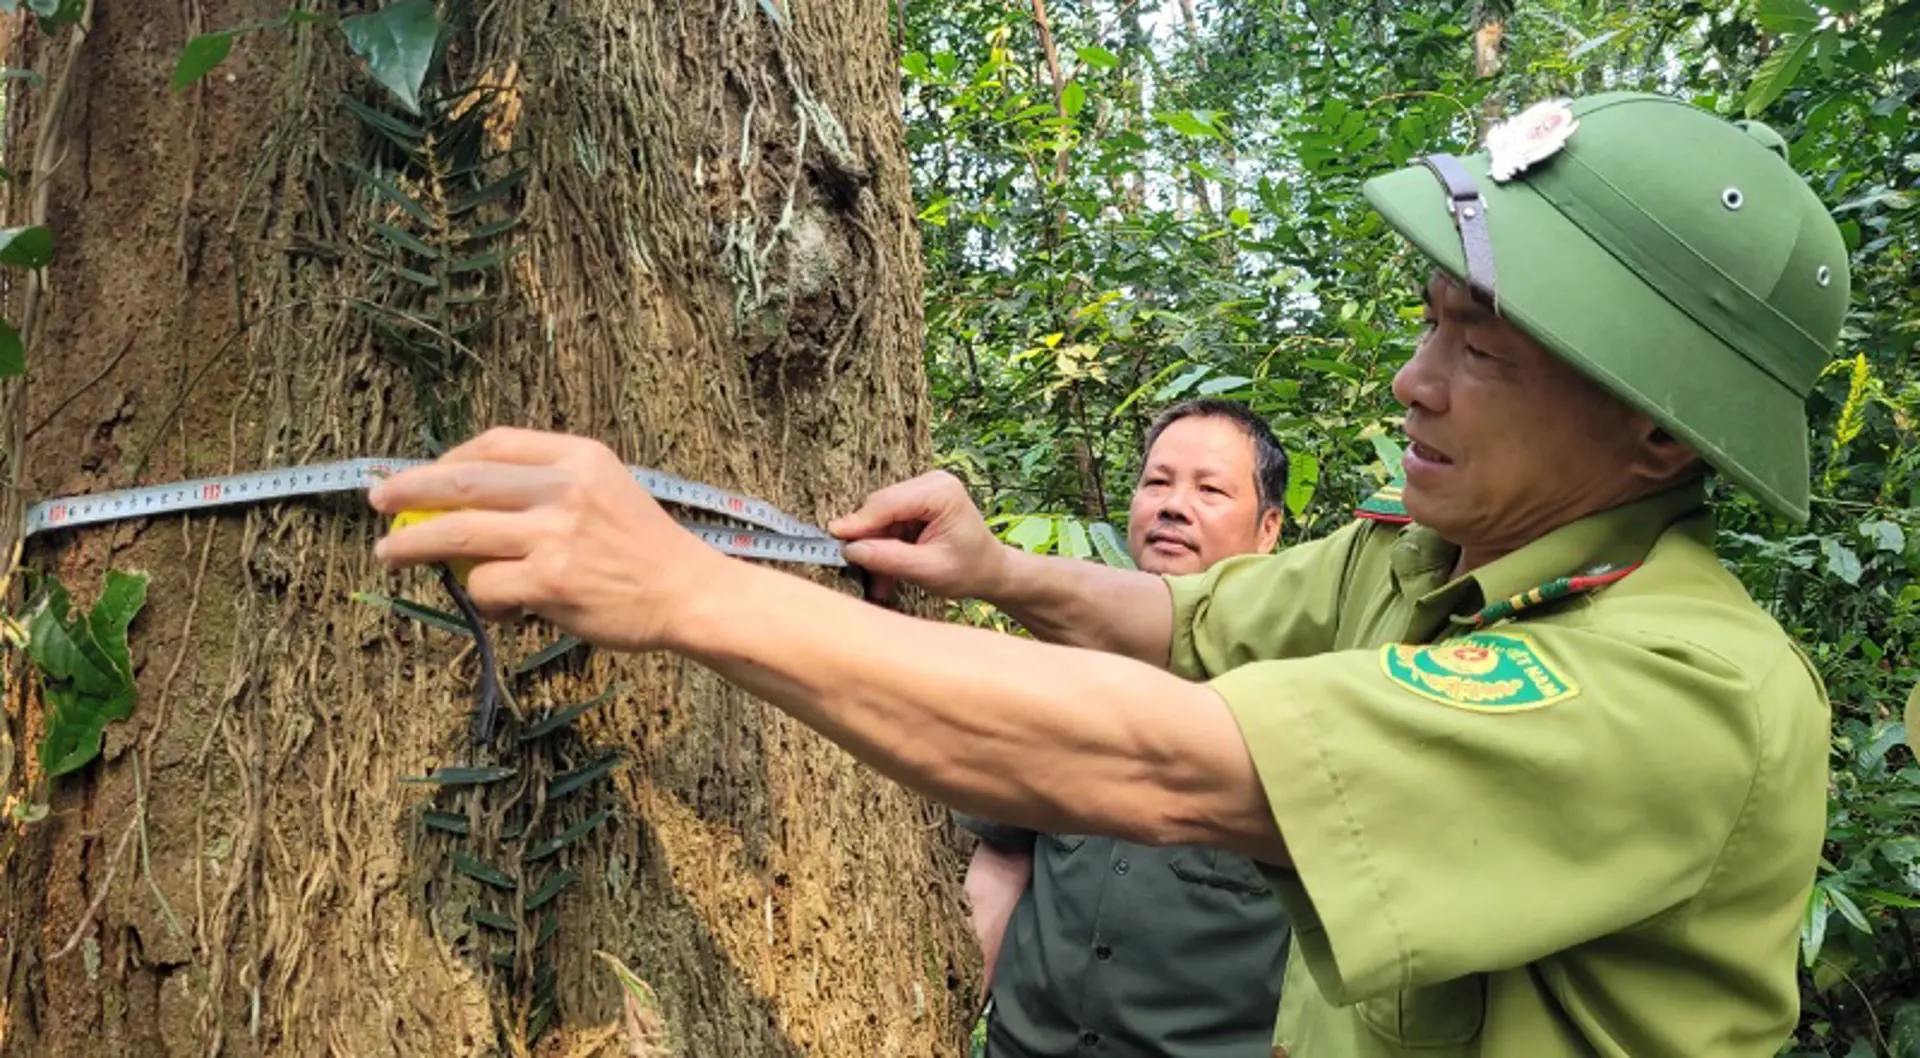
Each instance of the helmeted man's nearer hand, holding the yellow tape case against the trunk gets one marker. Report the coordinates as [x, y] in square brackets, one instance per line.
[558, 527]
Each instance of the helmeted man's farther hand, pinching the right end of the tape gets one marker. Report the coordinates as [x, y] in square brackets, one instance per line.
[924, 531]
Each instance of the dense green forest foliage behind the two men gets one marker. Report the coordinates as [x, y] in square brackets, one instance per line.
[1193, 226]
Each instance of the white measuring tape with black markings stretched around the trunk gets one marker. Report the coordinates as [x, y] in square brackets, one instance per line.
[773, 535]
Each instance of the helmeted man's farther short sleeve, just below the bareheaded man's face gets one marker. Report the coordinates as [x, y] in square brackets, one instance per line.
[1262, 606]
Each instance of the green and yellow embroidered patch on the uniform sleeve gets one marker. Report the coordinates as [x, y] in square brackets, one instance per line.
[1485, 673]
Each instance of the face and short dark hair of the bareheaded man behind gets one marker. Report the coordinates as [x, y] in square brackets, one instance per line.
[1197, 500]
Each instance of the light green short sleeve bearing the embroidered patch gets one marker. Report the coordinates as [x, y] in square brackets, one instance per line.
[1481, 804]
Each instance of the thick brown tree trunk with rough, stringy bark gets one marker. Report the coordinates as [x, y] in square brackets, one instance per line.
[719, 276]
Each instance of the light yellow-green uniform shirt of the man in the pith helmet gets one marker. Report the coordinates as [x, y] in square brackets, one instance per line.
[1581, 825]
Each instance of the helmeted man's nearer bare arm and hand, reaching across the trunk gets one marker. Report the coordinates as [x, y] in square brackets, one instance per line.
[1026, 733]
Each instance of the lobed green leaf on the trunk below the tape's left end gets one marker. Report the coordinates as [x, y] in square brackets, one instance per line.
[85, 667]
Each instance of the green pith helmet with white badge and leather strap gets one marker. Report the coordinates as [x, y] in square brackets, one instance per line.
[1671, 256]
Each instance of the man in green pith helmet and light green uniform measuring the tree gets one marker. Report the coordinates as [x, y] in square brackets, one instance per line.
[1527, 767]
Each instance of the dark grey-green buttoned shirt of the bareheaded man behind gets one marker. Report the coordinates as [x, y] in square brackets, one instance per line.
[1136, 951]
